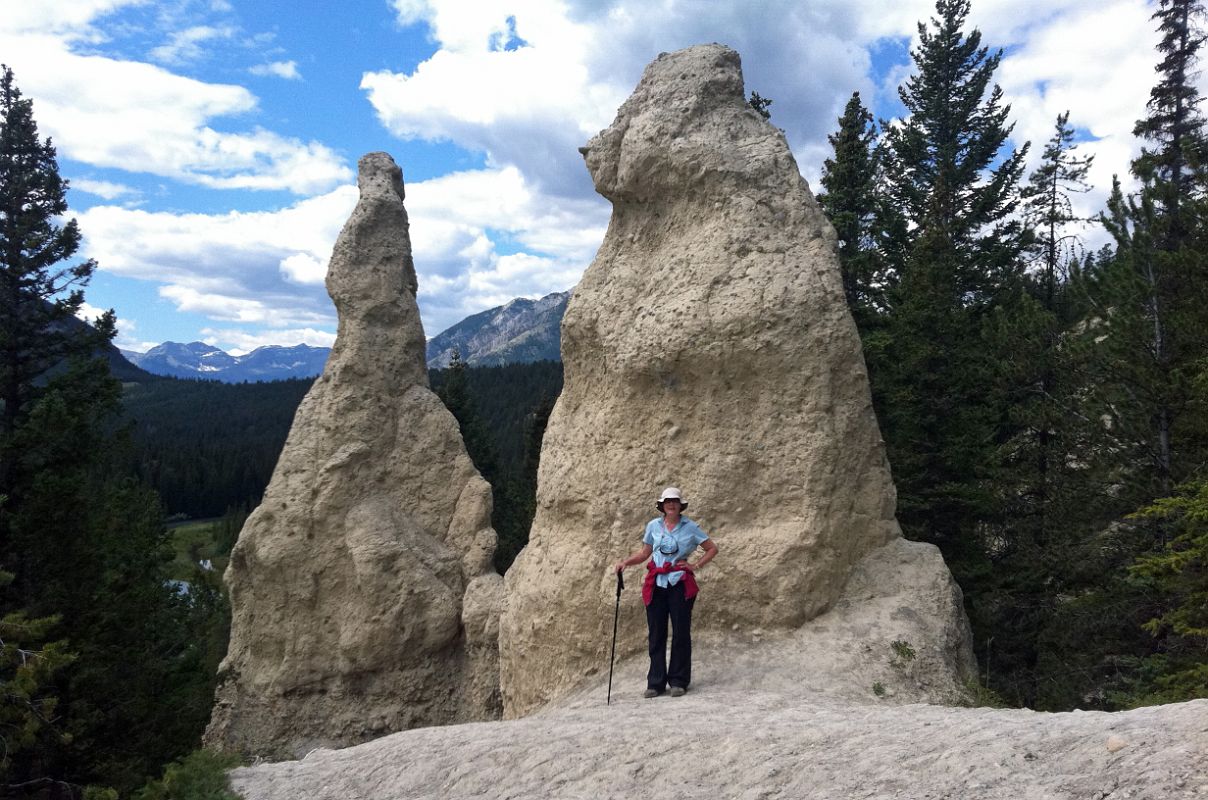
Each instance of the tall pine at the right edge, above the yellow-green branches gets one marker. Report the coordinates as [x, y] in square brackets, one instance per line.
[1152, 320]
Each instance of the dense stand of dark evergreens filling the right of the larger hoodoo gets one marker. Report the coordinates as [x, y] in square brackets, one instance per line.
[1044, 408]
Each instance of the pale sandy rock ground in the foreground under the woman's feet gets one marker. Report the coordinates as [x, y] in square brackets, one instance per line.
[751, 737]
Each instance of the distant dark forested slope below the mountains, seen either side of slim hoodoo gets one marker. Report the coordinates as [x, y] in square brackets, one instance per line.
[208, 448]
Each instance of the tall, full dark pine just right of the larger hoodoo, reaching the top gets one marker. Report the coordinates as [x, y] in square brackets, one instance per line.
[954, 185]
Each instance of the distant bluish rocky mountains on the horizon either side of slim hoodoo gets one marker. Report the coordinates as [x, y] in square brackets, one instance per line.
[518, 333]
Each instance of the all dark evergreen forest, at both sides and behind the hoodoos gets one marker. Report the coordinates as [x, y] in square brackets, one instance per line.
[1043, 404]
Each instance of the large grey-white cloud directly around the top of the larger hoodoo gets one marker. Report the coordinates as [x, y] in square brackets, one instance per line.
[571, 68]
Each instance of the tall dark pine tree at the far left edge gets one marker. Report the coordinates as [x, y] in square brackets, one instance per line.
[86, 546]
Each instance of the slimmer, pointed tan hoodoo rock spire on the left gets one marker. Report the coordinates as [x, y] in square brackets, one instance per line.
[363, 593]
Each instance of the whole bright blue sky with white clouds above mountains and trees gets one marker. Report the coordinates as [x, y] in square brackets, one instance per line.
[212, 144]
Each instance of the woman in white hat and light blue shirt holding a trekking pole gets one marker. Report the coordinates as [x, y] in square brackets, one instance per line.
[670, 590]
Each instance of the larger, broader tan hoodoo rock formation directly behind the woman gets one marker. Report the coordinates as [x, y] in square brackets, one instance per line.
[710, 347]
